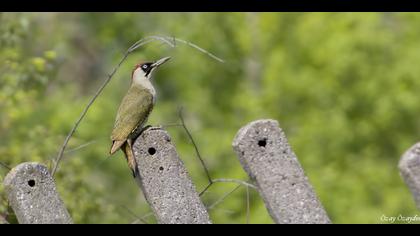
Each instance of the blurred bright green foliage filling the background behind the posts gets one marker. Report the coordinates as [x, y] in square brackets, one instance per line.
[344, 87]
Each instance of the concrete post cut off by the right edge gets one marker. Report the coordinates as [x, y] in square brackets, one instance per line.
[409, 166]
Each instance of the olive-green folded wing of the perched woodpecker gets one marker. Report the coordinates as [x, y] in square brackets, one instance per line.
[133, 112]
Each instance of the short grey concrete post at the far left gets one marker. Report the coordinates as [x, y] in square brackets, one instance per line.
[33, 196]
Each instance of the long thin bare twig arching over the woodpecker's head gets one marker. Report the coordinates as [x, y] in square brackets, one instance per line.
[135, 46]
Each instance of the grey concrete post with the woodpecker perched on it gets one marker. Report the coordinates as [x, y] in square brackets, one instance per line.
[165, 181]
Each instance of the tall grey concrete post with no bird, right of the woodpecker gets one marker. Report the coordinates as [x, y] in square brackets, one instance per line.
[266, 156]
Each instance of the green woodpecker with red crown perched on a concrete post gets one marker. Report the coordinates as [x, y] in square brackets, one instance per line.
[134, 110]
